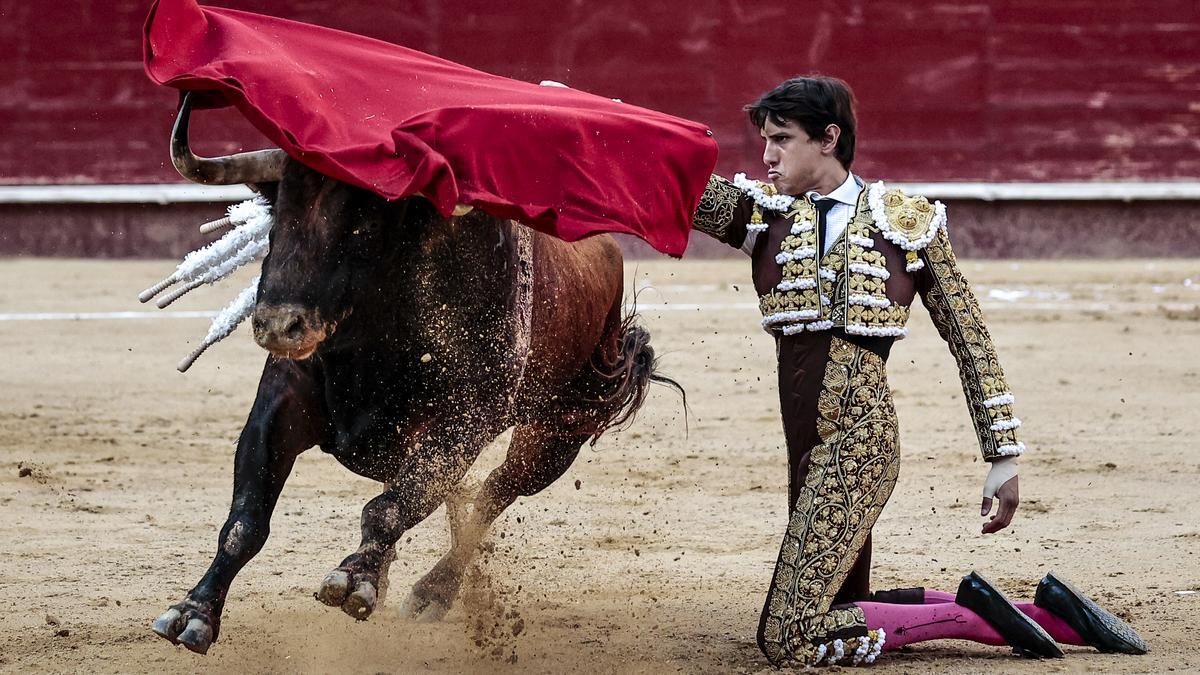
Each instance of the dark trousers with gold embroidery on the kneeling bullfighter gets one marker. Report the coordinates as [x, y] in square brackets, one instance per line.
[843, 475]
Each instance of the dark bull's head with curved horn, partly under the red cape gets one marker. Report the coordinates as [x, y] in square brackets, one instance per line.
[331, 242]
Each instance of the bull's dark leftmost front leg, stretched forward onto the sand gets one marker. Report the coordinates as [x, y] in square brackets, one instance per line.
[286, 420]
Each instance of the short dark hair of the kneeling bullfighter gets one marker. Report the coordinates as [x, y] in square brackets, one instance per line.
[812, 103]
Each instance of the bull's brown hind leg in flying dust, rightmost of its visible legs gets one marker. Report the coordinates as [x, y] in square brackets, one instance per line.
[537, 458]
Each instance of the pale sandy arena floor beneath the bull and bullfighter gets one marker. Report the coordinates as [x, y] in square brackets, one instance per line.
[653, 553]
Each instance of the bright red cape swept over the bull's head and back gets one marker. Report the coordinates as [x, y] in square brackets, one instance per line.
[399, 122]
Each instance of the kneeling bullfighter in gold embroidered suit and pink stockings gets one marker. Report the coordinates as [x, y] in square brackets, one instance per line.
[837, 264]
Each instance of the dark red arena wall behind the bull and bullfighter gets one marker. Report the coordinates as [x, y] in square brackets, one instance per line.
[986, 92]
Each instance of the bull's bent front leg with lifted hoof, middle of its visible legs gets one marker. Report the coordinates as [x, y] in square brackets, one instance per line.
[357, 586]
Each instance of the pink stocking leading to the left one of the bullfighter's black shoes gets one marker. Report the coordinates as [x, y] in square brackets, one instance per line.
[908, 624]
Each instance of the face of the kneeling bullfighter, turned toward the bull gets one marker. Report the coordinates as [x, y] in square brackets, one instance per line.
[795, 163]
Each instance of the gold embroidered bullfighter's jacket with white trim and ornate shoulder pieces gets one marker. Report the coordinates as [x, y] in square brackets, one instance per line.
[893, 249]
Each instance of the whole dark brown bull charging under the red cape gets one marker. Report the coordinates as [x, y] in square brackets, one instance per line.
[403, 343]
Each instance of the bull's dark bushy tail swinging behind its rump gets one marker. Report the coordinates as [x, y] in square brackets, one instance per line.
[625, 378]
